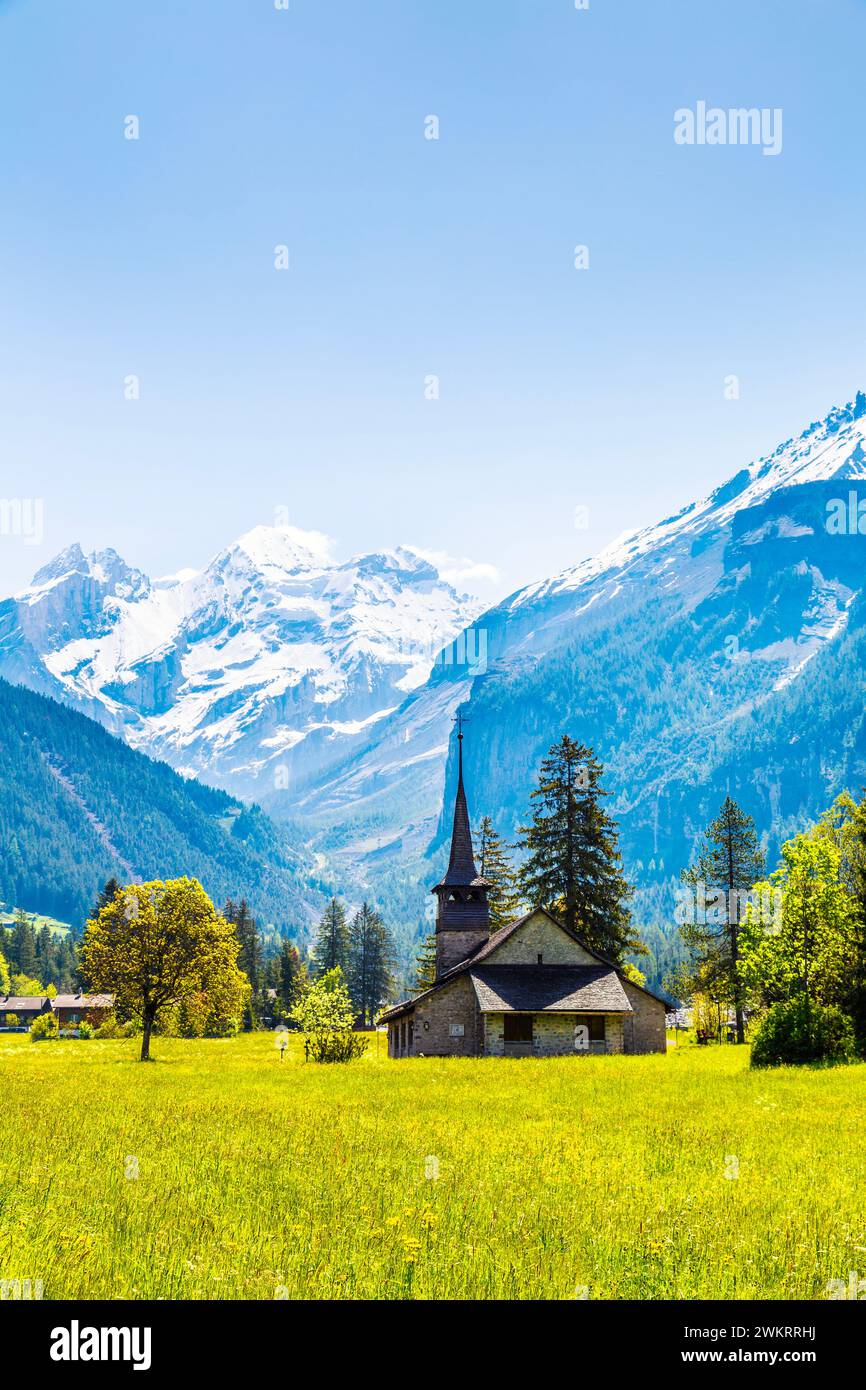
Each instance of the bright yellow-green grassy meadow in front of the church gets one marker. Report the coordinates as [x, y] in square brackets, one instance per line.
[259, 1179]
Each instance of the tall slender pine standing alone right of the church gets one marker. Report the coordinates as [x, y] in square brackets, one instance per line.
[728, 867]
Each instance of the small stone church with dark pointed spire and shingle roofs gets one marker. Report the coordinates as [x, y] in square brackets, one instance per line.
[533, 989]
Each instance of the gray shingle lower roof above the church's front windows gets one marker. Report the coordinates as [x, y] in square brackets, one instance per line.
[550, 989]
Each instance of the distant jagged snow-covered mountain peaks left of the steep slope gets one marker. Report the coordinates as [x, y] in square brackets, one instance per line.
[255, 673]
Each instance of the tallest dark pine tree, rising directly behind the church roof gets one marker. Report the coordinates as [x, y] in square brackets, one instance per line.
[573, 865]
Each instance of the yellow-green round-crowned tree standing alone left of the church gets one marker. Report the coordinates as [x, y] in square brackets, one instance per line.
[159, 946]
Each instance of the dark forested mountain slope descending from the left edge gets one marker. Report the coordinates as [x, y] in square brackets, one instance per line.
[77, 807]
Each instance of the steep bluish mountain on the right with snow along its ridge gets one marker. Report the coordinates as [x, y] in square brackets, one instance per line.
[722, 648]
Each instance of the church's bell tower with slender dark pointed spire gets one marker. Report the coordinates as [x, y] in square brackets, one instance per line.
[464, 918]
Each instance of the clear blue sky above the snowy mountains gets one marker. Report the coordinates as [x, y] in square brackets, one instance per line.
[305, 390]
